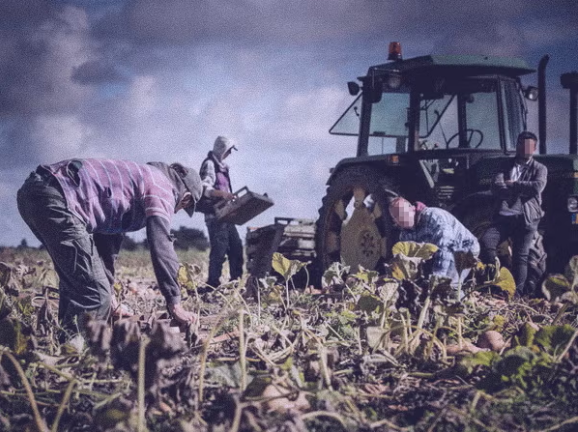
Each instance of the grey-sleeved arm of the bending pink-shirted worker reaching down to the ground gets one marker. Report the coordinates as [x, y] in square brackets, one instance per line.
[166, 266]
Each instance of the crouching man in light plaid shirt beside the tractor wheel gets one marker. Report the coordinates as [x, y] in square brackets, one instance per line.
[423, 224]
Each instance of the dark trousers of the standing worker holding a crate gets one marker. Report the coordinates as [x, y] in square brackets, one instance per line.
[225, 241]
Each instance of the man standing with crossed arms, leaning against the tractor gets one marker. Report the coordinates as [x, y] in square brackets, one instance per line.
[518, 186]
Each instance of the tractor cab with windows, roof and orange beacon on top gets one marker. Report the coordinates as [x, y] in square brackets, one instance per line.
[437, 103]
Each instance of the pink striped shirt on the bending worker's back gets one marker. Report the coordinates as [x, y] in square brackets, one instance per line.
[114, 196]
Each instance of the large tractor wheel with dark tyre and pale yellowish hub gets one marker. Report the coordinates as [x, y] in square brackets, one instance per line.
[354, 226]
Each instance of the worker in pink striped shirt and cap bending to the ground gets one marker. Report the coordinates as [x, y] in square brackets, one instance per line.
[80, 209]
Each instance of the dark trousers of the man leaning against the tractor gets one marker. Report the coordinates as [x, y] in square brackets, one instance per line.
[522, 235]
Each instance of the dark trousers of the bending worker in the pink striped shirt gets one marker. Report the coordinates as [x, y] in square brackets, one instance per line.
[85, 277]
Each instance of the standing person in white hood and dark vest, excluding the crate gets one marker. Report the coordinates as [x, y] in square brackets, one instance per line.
[223, 236]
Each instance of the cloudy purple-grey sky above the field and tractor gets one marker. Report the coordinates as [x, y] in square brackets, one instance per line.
[151, 80]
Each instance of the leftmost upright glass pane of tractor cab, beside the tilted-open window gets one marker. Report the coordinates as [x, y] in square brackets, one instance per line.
[388, 131]
